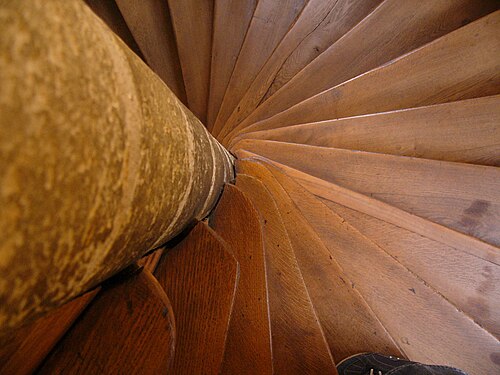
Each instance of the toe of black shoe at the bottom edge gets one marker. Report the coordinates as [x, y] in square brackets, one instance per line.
[378, 364]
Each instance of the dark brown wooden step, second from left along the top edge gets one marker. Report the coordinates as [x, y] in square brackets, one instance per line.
[149, 22]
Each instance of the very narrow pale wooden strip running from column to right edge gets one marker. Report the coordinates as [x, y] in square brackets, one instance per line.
[387, 213]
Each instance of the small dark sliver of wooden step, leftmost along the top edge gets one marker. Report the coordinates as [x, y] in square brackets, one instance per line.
[109, 12]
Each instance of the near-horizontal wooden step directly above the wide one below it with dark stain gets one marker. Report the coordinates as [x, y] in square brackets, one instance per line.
[465, 131]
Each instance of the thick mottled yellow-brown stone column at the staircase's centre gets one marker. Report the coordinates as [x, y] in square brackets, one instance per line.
[99, 161]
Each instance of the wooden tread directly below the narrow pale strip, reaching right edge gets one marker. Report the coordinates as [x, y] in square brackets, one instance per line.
[466, 281]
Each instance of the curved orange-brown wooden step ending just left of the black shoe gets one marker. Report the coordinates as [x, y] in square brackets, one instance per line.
[298, 343]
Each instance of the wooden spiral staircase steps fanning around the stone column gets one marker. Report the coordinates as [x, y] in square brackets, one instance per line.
[366, 208]
